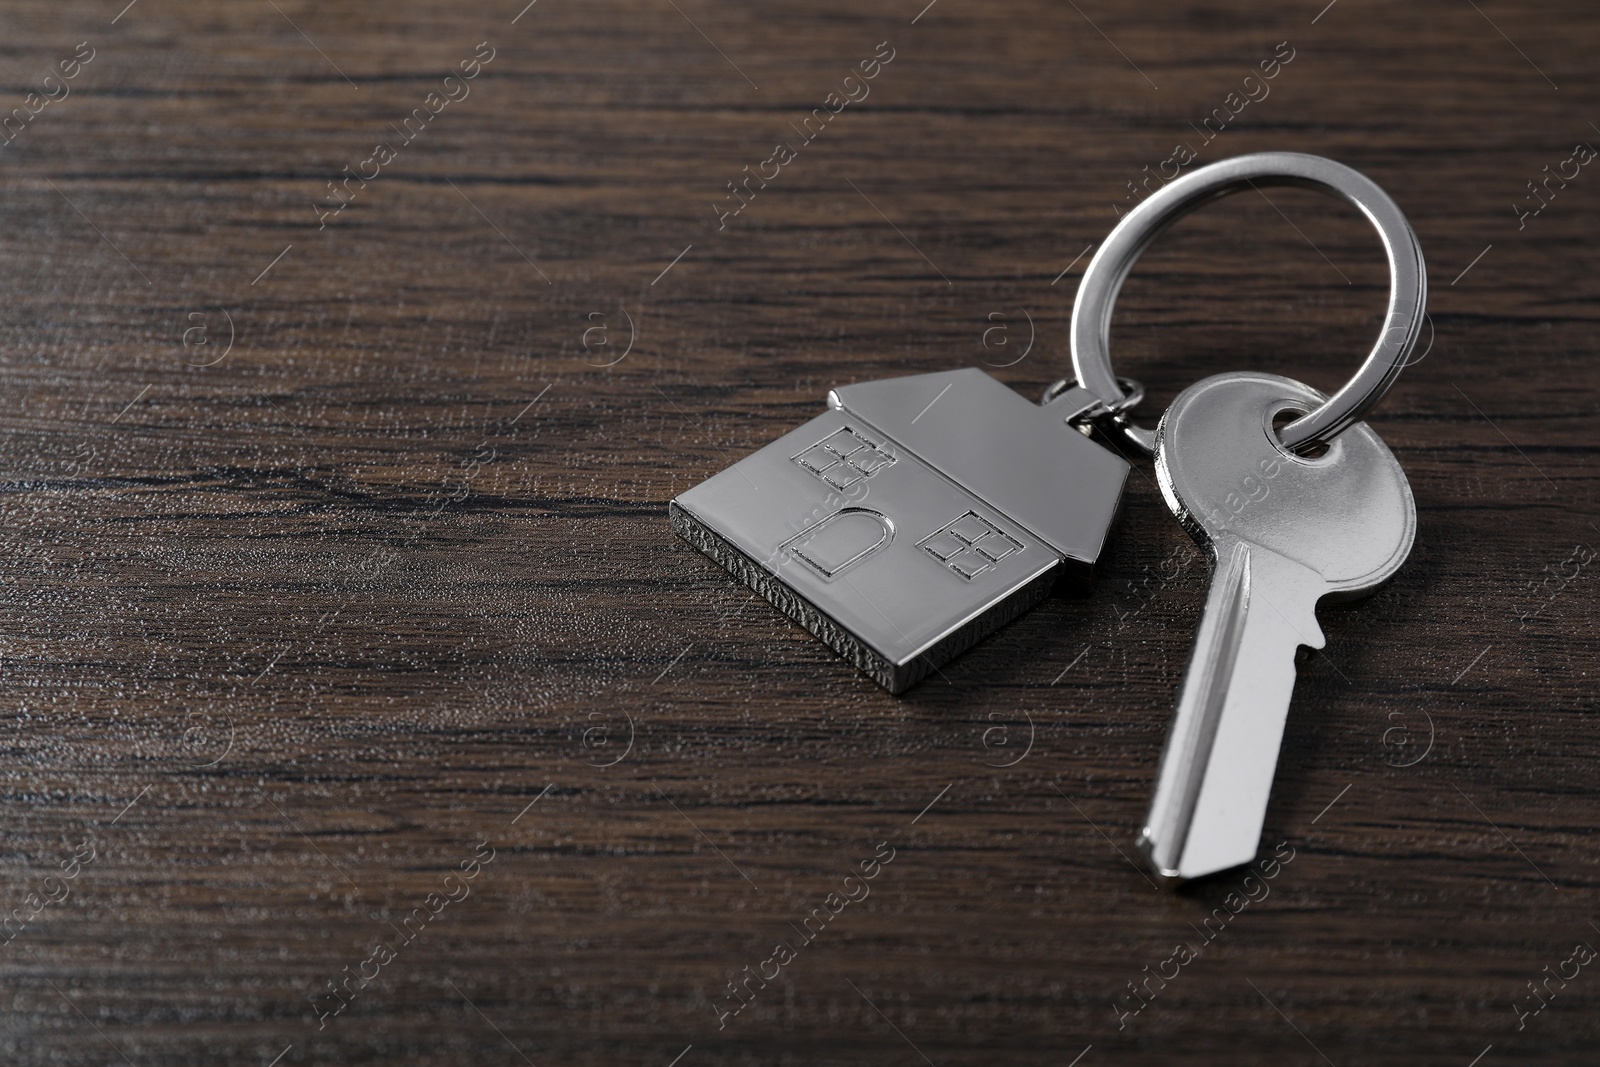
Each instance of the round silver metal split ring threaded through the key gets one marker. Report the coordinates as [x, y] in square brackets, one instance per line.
[1111, 265]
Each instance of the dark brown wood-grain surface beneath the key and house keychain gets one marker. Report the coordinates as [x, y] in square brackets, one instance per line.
[338, 557]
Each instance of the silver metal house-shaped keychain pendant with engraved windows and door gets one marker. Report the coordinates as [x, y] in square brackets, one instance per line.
[914, 518]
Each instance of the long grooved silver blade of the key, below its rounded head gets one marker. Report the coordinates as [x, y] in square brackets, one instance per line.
[1223, 746]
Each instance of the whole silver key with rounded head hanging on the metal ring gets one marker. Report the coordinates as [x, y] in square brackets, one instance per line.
[1284, 533]
